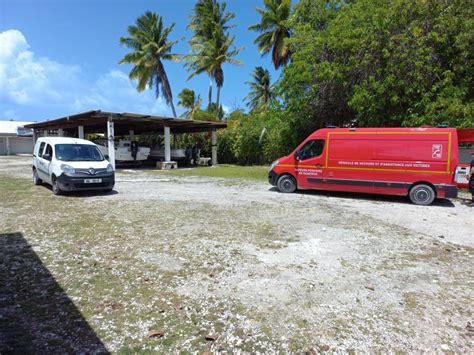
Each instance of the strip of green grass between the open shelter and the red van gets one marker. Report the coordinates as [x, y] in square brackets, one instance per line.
[223, 171]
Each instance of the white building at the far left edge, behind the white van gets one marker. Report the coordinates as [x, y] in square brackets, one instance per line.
[14, 139]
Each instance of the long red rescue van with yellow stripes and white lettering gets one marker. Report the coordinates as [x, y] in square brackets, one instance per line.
[415, 162]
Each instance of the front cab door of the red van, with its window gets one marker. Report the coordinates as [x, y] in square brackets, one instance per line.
[310, 165]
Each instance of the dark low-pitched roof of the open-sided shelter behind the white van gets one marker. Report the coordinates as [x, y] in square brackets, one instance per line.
[95, 122]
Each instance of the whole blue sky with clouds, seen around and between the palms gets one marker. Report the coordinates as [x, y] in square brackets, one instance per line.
[59, 57]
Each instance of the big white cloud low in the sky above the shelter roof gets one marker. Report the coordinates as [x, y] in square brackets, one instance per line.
[27, 80]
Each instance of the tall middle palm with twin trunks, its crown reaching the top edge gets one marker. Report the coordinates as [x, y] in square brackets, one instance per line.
[211, 44]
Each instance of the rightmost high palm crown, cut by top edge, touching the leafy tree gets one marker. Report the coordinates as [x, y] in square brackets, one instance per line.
[273, 31]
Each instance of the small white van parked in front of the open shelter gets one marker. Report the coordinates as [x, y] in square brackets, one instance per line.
[71, 164]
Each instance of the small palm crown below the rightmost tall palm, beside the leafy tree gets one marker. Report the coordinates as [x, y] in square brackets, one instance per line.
[261, 91]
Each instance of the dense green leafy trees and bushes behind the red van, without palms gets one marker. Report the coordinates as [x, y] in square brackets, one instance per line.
[364, 63]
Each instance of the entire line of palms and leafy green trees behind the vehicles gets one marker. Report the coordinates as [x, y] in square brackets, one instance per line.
[347, 63]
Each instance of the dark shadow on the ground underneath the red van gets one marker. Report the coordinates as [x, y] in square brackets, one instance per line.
[368, 197]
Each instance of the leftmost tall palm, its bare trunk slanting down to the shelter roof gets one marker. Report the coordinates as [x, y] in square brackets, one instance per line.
[150, 46]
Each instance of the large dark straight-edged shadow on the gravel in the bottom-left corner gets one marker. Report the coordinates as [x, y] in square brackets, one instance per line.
[36, 315]
